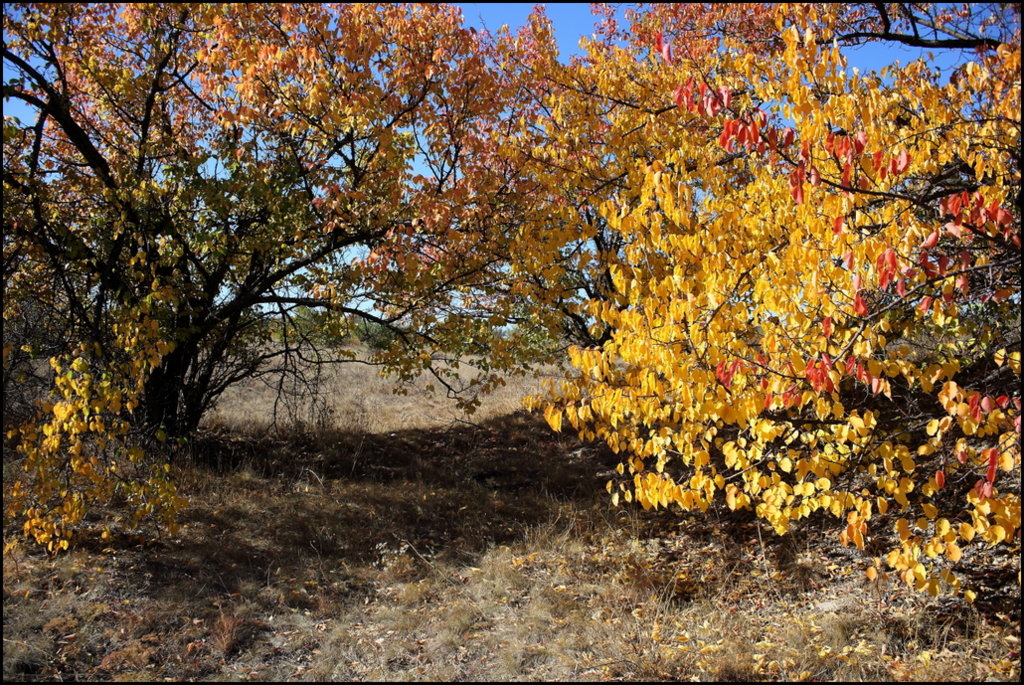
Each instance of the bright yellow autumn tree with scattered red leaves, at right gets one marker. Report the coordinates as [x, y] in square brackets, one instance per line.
[816, 305]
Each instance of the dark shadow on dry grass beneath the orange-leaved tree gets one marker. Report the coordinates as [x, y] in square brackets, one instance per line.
[325, 510]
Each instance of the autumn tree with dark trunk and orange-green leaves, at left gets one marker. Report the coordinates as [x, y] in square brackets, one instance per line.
[193, 181]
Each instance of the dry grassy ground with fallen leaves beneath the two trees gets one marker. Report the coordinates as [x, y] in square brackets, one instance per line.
[397, 543]
